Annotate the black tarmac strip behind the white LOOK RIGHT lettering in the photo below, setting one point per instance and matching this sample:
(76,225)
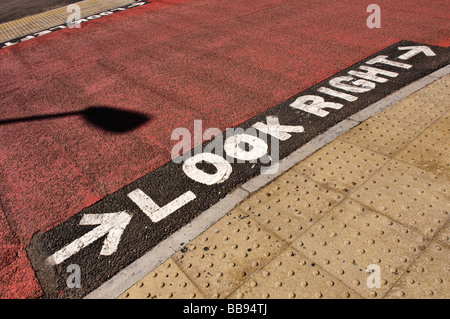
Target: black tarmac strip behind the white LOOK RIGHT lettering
(170,181)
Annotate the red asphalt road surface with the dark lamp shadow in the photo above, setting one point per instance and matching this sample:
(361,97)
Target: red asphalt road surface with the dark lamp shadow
(176,60)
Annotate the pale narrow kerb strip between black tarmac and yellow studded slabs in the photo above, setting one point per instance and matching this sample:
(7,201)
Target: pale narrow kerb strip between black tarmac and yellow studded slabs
(134,272)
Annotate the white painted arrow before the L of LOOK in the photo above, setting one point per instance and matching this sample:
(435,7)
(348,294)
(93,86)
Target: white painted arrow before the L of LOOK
(112,224)
